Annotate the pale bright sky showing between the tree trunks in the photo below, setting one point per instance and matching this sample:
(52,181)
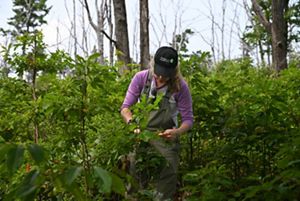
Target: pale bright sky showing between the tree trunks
(166,18)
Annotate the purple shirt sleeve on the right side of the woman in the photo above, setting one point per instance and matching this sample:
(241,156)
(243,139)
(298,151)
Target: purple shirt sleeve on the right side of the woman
(184,104)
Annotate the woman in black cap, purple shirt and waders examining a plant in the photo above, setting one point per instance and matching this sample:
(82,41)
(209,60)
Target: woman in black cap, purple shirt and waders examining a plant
(164,78)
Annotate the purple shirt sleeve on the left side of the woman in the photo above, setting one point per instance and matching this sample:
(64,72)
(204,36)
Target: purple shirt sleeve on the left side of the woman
(134,90)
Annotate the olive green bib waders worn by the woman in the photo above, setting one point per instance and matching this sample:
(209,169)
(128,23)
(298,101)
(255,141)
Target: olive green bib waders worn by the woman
(159,120)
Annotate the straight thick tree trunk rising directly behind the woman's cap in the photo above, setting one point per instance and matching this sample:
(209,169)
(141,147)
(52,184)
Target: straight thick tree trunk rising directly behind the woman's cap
(144,34)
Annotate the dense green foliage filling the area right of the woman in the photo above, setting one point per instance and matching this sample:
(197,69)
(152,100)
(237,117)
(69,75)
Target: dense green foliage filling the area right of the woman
(244,119)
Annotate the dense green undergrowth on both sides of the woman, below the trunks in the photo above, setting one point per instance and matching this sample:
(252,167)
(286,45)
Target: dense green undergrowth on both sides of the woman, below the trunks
(245,143)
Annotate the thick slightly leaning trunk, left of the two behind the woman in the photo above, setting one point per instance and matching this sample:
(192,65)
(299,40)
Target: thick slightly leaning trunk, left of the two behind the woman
(121,32)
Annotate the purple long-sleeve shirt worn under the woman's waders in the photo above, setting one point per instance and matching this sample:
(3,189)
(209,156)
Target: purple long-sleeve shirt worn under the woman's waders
(183,97)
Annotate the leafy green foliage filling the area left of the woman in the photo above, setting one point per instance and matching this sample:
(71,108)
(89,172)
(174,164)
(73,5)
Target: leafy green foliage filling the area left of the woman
(67,110)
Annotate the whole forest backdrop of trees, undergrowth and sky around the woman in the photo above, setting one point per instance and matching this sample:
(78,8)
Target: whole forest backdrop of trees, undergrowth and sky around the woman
(62,137)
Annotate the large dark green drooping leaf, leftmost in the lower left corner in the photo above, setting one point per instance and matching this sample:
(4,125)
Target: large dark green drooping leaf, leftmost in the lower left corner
(14,158)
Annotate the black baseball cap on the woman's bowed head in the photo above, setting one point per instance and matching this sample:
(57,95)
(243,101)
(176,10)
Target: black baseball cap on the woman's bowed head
(165,61)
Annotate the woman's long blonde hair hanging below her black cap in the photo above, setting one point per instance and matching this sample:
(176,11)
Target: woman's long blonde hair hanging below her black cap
(174,83)
